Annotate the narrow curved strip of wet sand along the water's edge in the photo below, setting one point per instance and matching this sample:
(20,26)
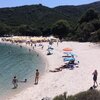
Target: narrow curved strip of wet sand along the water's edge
(9,96)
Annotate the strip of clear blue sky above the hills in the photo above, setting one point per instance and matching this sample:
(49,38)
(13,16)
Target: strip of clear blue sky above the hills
(48,3)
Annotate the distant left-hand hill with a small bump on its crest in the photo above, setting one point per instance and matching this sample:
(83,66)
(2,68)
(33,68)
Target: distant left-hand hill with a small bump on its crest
(36,15)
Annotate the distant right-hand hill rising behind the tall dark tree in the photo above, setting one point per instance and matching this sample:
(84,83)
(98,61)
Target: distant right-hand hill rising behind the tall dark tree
(75,12)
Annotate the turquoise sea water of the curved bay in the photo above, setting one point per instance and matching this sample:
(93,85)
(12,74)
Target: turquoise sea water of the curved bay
(20,62)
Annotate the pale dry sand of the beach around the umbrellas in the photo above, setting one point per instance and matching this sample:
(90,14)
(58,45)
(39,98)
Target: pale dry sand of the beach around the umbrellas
(70,81)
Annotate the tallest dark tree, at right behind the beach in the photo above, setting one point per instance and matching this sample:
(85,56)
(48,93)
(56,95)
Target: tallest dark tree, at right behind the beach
(88,24)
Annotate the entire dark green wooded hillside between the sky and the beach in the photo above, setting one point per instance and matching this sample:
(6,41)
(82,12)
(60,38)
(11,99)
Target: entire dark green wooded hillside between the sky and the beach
(81,23)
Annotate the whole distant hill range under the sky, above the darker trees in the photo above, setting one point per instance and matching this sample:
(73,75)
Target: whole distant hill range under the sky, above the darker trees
(40,15)
